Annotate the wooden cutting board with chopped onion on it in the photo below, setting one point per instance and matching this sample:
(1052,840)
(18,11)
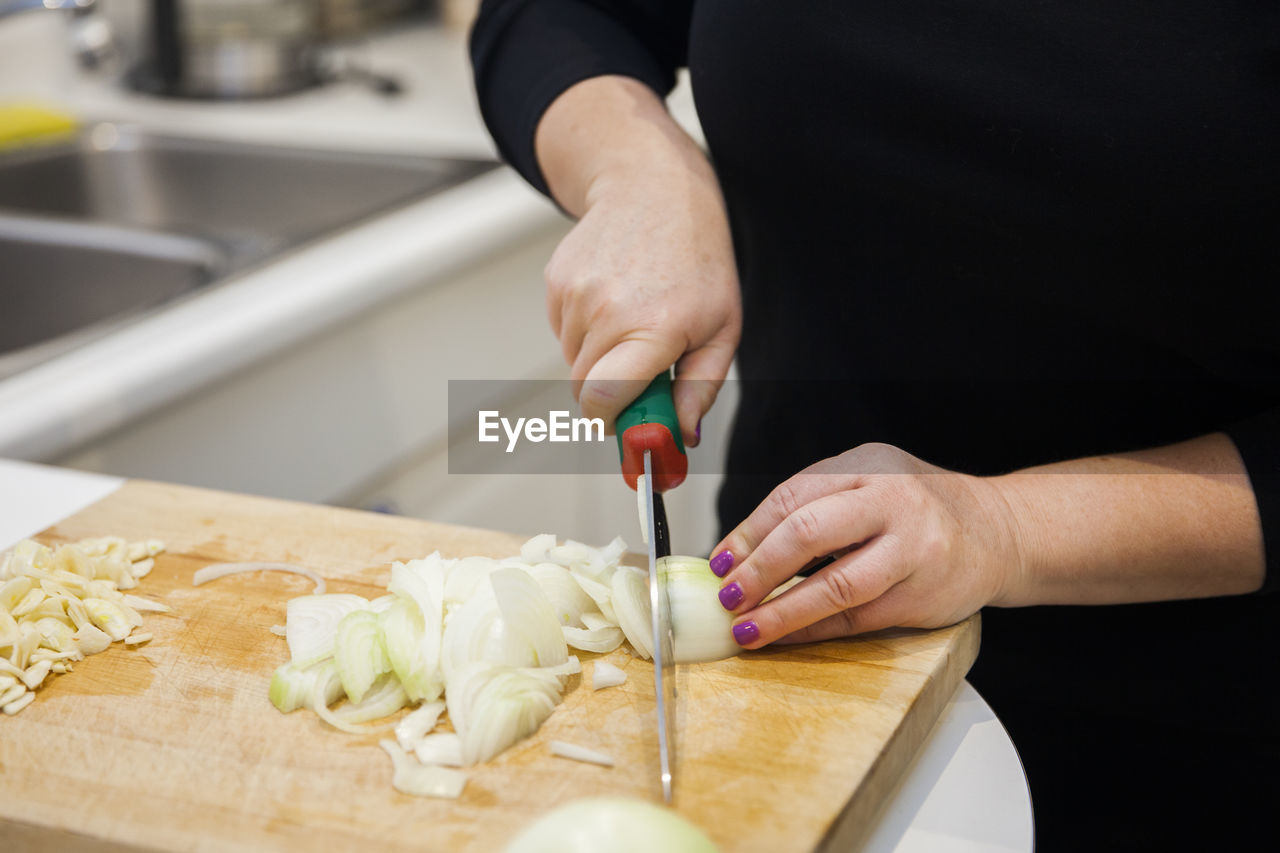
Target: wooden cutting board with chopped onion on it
(175,745)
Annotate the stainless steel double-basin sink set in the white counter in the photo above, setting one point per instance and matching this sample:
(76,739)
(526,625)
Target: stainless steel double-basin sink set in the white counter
(118,222)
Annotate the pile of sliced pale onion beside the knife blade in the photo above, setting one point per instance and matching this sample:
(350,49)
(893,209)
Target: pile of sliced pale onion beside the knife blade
(490,636)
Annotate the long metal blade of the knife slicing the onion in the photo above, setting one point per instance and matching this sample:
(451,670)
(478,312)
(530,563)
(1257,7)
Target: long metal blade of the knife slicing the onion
(664,641)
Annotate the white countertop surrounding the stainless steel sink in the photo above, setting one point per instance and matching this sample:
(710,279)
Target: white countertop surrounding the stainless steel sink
(67,403)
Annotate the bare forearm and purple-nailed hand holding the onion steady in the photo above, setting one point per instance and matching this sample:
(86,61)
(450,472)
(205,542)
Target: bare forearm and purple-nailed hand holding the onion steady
(925,548)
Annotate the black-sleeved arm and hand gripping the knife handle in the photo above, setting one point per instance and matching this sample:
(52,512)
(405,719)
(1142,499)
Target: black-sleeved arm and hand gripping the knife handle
(570,90)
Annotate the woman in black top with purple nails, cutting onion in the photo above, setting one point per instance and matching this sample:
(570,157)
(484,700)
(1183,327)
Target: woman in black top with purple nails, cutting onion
(1031,244)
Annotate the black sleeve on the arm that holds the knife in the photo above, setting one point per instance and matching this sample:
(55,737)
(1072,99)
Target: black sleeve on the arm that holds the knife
(525,53)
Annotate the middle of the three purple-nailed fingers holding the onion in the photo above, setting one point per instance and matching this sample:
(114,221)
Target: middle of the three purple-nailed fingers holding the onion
(819,528)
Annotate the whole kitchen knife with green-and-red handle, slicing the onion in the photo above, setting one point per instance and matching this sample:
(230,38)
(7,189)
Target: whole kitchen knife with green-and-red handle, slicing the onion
(653,462)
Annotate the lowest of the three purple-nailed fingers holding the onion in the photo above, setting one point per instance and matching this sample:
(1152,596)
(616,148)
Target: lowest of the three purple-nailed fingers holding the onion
(848,585)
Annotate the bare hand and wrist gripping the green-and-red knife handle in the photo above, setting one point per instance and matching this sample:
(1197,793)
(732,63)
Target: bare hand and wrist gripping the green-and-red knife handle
(647,277)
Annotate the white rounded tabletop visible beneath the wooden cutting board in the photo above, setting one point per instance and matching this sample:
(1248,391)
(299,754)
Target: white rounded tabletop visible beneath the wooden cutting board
(964,792)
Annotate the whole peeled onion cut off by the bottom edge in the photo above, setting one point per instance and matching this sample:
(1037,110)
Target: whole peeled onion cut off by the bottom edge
(616,824)
